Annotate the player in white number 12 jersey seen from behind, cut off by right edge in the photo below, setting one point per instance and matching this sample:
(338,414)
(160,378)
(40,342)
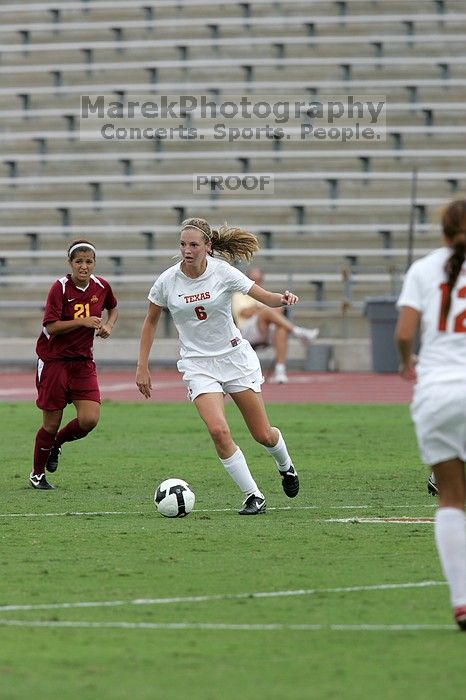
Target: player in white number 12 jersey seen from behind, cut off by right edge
(434,296)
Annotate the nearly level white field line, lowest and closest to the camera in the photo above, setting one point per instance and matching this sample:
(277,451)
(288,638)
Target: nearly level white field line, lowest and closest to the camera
(224,626)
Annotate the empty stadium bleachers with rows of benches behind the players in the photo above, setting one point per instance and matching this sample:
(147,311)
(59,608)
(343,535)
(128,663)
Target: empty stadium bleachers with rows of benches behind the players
(339,218)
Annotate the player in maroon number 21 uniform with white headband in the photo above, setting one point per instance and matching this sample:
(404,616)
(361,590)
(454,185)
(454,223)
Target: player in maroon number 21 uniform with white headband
(66,370)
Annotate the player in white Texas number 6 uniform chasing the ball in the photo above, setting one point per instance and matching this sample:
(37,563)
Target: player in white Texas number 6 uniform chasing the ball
(215,359)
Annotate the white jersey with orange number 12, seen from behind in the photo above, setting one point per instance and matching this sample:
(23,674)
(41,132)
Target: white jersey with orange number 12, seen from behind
(443,340)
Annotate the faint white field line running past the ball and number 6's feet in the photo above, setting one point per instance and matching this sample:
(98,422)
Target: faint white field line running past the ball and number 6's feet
(209,510)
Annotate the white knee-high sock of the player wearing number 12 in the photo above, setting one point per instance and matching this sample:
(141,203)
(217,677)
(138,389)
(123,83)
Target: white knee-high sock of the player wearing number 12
(450,538)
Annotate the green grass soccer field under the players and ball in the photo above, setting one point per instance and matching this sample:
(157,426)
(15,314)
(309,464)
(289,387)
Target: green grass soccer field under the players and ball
(97,539)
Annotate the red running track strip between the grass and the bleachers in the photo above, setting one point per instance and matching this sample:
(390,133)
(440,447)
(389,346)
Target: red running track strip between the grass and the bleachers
(303,387)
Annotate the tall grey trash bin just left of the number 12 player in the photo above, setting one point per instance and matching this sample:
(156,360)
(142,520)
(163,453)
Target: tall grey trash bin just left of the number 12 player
(382,314)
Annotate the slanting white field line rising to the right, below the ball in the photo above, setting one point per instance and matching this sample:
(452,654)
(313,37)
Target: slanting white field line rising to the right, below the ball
(222,596)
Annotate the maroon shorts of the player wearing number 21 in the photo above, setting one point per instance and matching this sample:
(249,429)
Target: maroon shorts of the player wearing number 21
(60,382)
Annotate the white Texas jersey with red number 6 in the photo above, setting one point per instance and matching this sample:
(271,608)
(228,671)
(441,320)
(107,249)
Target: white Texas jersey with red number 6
(201,307)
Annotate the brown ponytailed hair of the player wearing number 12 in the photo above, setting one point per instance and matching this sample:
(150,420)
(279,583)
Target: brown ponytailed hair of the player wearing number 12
(454,230)
